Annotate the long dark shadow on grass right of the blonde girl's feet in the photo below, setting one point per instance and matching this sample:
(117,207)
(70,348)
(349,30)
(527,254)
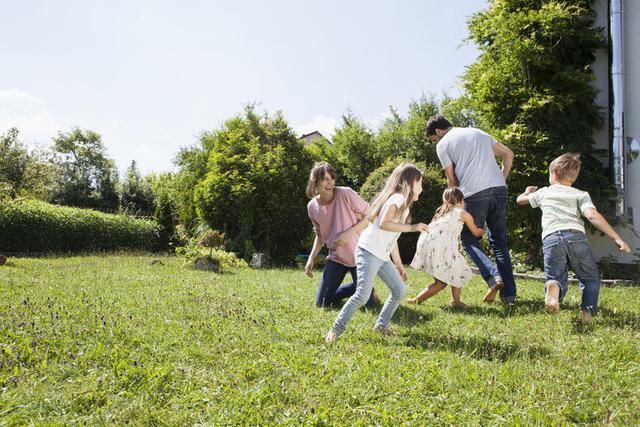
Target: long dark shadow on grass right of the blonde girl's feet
(478,348)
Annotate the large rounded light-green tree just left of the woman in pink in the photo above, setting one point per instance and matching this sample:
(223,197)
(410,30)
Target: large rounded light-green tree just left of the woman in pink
(253,190)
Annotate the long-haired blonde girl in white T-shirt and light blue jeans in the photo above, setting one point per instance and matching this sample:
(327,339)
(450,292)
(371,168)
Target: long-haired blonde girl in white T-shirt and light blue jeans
(388,214)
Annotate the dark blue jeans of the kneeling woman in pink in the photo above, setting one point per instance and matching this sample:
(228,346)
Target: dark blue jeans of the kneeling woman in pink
(331,291)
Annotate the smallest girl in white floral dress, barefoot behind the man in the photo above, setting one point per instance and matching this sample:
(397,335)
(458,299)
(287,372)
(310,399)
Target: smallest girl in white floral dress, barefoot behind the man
(438,250)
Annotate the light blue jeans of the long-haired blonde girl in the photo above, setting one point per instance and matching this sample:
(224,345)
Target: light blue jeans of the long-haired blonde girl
(368,266)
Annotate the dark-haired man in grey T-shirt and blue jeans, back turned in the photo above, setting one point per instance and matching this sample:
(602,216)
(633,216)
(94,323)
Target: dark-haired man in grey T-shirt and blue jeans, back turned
(468,157)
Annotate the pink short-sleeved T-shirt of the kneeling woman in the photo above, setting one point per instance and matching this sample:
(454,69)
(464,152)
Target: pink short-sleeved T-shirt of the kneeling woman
(332,219)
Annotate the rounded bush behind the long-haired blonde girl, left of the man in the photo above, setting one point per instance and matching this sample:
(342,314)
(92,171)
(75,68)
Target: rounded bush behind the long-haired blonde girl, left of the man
(433,184)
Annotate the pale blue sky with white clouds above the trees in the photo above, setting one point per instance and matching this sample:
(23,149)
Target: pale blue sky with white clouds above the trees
(151,76)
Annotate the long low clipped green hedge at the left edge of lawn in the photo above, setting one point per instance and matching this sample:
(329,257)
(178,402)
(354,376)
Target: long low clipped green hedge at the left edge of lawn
(35,226)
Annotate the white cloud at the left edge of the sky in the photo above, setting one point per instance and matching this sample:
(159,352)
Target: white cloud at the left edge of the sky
(29,114)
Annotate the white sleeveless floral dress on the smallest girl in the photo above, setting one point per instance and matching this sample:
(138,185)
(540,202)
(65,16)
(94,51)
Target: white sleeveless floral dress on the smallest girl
(438,251)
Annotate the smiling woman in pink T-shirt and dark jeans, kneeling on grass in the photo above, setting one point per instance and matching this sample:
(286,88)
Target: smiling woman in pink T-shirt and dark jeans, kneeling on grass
(332,210)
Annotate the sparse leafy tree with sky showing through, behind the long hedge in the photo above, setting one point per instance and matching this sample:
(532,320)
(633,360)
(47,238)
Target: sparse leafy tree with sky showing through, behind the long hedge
(89,178)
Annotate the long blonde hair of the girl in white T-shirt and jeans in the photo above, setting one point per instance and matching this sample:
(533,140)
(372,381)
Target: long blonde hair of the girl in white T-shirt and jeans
(401,181)
